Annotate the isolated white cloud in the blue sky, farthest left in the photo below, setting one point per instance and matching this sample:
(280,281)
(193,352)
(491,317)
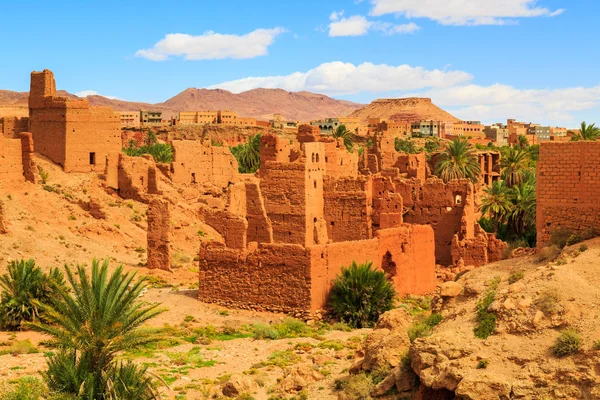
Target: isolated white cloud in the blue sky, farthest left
(211,45)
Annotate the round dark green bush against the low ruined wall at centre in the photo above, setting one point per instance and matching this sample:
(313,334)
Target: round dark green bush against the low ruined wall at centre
(361,294)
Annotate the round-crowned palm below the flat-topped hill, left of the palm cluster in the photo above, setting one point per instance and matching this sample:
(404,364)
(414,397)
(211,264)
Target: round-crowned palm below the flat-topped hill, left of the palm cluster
(458,161)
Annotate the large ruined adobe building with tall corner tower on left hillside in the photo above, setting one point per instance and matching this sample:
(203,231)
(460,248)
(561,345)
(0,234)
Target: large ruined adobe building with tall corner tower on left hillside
(68,131)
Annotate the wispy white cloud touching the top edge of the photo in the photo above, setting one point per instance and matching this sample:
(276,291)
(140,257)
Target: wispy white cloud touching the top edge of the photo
(464,12)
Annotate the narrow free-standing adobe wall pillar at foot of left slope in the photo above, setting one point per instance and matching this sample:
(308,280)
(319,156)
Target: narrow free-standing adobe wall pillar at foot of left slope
(159,234)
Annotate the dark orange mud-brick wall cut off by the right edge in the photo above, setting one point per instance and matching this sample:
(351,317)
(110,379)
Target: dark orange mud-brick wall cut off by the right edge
(568,188)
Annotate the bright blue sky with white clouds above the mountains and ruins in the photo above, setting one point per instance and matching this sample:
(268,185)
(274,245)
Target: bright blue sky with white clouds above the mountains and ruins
(488,60)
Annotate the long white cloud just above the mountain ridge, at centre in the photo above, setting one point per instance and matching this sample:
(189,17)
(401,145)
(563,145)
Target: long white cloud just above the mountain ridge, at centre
(339,78)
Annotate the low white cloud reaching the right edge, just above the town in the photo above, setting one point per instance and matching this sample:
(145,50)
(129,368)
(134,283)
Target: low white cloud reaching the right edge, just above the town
(499,102)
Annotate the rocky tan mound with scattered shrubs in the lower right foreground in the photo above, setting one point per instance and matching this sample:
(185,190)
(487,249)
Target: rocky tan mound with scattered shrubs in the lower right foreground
(533,301)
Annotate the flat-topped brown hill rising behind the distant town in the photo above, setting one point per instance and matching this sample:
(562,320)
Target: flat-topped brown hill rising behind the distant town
(406,110)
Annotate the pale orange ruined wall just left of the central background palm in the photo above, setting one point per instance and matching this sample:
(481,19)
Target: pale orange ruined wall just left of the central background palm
(200,162)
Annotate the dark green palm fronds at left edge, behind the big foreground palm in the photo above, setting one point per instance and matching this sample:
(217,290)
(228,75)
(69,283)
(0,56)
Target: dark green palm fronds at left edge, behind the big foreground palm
(22,286)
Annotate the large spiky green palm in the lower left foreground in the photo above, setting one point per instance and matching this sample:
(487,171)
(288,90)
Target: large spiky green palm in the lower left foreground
(101,318)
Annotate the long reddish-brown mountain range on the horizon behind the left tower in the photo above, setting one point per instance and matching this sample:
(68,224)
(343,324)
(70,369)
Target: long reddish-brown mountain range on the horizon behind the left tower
(257,103)
